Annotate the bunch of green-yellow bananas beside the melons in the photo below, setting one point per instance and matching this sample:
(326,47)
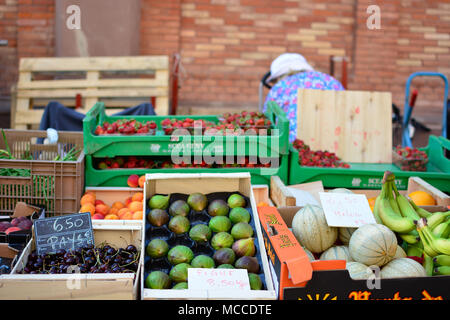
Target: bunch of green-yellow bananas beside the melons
(425,234)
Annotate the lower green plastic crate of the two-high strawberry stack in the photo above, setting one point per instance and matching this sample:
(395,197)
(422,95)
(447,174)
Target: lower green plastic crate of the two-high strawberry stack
(118,177)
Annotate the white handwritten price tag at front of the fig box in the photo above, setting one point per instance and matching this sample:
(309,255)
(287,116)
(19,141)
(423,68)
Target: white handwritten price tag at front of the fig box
(218,279)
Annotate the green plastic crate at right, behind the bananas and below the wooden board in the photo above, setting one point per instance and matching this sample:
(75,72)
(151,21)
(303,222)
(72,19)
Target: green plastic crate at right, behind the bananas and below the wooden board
(369,176)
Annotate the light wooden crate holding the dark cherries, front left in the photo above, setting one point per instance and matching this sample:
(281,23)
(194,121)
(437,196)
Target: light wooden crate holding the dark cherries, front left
(98,286)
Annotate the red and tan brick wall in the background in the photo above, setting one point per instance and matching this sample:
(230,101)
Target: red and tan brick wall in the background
(228,45)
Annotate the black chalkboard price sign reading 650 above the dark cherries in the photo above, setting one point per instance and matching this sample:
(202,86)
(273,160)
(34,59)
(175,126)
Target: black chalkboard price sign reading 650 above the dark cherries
(68,232)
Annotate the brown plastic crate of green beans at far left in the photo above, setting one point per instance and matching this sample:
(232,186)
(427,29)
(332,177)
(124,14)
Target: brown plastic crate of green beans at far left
(49,175)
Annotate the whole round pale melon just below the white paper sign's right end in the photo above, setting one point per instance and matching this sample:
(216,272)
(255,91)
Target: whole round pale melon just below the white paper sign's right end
(373,244)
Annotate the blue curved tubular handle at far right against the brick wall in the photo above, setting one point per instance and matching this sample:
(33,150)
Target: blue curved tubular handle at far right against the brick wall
(406,140)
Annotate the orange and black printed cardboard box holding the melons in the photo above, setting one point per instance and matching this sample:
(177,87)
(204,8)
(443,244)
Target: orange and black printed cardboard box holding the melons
(331,281)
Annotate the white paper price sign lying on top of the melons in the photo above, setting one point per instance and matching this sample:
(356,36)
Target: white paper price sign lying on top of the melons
(346,210)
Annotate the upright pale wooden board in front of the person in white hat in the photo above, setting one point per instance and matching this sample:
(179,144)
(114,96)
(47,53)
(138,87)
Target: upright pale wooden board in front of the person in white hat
(356,125)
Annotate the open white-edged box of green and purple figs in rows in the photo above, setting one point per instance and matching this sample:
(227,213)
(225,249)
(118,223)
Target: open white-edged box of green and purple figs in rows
(202,229)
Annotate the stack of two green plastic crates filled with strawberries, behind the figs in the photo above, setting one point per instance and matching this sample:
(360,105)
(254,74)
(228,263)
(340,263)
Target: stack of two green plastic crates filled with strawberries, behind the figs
(245,141)
